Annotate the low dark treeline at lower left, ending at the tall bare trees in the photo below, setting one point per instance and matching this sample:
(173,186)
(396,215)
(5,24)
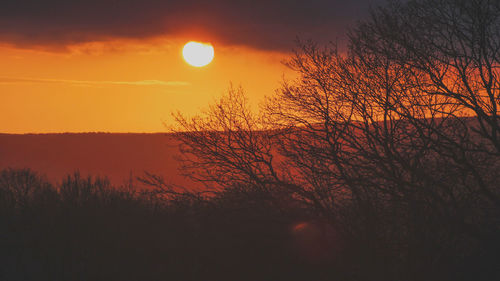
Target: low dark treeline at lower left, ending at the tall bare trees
(85,229)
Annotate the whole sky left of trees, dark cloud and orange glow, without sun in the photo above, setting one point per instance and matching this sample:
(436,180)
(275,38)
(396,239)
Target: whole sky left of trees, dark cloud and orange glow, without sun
(116,65)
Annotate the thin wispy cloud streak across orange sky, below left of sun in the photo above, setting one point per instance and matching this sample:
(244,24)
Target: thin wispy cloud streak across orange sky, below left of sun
(19,80)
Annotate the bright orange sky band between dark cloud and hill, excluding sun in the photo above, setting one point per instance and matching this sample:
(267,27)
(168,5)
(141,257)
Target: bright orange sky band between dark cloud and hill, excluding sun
(123,86)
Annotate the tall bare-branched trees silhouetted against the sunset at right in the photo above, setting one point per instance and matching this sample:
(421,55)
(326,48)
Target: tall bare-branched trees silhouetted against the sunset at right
(395,143)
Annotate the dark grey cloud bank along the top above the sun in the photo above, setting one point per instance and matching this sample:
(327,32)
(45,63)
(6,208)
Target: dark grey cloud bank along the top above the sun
(260,24)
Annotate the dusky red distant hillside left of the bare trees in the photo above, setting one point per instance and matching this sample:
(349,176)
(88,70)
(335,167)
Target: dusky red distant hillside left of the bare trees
(115,155)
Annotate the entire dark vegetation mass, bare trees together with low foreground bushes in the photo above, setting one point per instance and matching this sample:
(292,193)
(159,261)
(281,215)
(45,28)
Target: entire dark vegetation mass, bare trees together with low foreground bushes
(381,163)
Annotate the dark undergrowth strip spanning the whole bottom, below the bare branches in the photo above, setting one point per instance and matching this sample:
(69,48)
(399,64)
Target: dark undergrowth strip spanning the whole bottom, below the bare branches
(84,229)
